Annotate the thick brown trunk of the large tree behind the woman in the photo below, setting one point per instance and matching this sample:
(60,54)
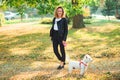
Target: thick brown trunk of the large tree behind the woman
(78,21)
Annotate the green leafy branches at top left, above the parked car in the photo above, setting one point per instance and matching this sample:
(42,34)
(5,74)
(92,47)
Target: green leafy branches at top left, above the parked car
(19,5)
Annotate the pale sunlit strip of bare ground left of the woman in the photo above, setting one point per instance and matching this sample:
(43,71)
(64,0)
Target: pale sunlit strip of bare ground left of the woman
(18,29)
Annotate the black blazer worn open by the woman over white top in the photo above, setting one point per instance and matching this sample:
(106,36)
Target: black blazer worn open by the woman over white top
(62,28)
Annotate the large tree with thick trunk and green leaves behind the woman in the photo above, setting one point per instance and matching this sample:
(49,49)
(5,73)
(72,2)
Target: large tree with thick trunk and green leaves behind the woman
(74,9)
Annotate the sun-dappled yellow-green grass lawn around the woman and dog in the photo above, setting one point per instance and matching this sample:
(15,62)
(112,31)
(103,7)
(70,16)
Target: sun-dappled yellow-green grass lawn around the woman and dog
(26,52)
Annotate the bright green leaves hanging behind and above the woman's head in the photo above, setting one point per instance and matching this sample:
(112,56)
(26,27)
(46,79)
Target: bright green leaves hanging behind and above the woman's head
(48,6)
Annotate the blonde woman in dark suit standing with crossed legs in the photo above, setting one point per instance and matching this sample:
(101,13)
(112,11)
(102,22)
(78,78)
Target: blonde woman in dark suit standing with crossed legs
(58,34)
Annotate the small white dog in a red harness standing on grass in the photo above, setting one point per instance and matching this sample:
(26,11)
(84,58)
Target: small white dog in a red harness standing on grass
(82,65)
